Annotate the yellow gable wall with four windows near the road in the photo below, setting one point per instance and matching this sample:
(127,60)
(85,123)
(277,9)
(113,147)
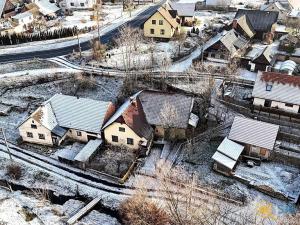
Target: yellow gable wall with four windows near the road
(169,30)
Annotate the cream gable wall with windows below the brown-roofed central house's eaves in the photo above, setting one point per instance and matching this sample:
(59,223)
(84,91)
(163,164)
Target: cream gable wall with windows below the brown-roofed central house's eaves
(113,129)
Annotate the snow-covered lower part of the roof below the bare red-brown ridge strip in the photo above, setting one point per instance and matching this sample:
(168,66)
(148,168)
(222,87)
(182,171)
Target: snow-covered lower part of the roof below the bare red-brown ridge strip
(281,92)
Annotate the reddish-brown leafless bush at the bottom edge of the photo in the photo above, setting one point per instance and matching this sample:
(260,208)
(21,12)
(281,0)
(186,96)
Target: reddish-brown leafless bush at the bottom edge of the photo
(137,210)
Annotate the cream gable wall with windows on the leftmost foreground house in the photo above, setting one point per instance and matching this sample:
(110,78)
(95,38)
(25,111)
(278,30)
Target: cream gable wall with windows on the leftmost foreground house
(26,127)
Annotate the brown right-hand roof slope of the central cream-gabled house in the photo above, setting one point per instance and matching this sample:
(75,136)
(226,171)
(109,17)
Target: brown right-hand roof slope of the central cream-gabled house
(134,117)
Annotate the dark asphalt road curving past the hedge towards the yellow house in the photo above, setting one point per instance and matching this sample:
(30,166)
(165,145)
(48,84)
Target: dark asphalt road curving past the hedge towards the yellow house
(109,36)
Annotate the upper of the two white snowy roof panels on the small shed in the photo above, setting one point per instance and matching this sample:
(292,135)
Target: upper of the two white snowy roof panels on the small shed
(231,149)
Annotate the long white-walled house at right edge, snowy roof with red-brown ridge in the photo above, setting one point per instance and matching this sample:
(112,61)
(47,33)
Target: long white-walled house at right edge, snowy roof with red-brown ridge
(276,90)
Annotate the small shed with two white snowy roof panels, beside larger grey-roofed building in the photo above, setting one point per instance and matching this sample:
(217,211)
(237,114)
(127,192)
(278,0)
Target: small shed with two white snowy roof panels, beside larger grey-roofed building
(227,156)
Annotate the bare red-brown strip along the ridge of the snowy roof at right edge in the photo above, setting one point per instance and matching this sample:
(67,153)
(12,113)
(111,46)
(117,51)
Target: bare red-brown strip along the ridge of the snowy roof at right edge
(280,78)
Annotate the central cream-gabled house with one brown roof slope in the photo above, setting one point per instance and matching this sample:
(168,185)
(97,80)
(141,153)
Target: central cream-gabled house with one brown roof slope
(128,126)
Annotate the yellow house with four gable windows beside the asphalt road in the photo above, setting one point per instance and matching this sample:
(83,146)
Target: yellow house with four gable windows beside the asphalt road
(161,25)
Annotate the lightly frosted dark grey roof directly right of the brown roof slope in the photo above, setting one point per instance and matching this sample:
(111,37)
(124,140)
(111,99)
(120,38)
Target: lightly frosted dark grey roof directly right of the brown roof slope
(154,102)
